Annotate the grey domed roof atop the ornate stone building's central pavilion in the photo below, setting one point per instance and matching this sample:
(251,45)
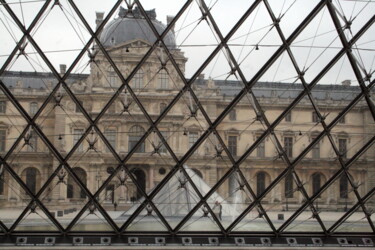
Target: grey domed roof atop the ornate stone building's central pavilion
(131,25)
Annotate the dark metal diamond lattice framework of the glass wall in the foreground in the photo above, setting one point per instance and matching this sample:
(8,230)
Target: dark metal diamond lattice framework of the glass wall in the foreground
(364,79)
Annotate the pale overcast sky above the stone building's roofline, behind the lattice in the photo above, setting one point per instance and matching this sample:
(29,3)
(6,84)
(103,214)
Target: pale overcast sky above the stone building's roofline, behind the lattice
(197,40)
